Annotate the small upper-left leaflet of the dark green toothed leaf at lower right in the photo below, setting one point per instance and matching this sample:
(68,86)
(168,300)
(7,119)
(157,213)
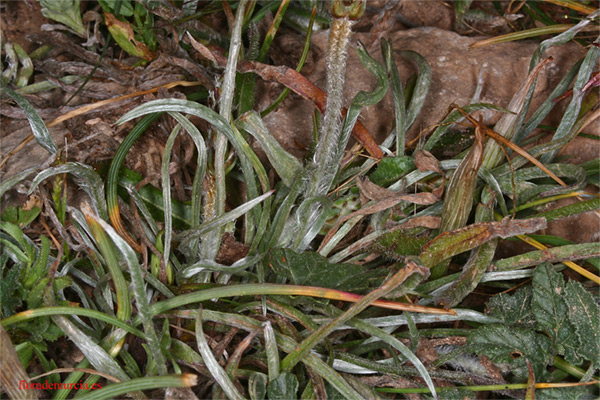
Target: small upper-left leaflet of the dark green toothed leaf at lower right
(513,309)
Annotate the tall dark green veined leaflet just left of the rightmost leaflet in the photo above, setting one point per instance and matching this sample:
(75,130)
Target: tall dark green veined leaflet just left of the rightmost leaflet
(551,312)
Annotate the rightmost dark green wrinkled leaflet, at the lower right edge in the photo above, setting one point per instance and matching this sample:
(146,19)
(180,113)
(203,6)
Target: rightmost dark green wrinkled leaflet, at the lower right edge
(584,314)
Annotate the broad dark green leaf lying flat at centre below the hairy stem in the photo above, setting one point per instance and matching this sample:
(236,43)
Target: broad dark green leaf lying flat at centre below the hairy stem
(312,269)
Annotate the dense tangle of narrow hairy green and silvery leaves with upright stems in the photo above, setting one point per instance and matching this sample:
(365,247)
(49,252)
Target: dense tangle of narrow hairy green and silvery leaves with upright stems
(254,327)
